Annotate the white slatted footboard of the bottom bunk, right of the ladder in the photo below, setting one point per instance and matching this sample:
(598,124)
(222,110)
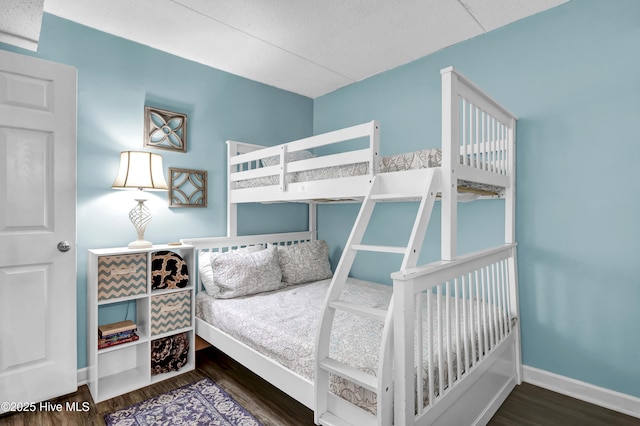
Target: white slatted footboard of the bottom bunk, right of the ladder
(470,345)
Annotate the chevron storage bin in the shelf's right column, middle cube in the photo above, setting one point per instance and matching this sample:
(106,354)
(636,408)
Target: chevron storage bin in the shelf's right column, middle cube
(171,311)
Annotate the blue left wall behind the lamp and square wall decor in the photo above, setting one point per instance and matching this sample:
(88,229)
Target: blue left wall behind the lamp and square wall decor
(116,79)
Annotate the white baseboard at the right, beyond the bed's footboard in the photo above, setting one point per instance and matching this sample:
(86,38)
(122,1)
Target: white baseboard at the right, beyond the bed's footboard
(603,397)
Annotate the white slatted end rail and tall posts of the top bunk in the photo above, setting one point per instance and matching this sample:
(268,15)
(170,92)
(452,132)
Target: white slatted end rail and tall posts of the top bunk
(478,146)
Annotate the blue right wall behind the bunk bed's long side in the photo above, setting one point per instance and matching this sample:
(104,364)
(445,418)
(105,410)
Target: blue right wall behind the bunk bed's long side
(572,76)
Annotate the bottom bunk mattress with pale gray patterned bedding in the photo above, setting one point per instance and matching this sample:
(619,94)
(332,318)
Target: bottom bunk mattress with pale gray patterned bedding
(282,325)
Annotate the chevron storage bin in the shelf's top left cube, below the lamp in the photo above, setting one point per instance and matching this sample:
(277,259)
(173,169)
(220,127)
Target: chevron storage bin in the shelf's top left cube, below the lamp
(122,276)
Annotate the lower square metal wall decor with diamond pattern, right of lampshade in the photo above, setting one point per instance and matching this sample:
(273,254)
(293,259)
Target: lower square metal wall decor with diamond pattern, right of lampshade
(187,188)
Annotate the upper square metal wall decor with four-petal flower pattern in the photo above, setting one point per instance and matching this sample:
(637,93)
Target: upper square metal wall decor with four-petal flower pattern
(165,129)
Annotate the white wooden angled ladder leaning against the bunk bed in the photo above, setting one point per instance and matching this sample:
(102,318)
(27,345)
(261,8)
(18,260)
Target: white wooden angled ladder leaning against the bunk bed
(331,410)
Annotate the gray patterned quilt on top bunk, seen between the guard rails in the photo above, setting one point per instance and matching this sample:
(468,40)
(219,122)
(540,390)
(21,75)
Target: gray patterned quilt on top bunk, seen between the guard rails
(426,158)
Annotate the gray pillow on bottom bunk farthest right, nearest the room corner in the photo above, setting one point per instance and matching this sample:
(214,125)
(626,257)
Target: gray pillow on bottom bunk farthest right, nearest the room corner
(304,262)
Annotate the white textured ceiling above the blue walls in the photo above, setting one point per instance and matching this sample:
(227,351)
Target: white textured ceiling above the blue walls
(310,47)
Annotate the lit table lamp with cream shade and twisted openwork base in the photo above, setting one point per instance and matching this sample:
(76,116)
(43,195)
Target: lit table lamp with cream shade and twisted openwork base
(142,171)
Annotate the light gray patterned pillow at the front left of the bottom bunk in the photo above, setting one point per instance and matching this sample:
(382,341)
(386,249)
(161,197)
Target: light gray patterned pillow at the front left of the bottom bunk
(242,273)
